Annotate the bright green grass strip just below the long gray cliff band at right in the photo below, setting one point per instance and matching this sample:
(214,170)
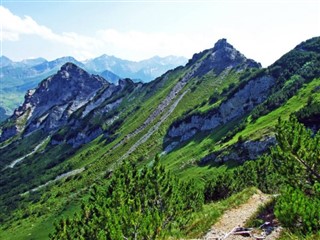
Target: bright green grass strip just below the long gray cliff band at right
(184,160)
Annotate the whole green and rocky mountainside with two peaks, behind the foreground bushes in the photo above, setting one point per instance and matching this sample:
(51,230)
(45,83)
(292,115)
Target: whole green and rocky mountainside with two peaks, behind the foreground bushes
(205,119)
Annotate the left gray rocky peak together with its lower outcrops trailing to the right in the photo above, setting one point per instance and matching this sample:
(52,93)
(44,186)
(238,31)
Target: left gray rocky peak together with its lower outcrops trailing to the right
(51,105)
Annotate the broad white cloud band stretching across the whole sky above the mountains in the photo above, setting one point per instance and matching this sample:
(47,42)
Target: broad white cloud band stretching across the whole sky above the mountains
(260,42)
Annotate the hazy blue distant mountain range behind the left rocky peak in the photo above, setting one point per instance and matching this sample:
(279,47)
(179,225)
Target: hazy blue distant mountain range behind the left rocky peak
(17,77)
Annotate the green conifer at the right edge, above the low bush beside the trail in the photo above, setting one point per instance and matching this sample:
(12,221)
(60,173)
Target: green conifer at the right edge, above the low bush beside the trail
(297,153)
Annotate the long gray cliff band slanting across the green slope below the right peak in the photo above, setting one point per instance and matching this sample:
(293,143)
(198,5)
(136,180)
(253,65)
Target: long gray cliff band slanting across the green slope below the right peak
(252,94)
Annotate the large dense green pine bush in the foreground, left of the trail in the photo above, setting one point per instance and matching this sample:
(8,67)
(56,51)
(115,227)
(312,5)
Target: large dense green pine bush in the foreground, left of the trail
(137,204)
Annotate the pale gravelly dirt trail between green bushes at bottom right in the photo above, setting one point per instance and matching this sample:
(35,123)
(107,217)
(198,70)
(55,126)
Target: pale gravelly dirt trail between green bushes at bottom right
(237,217)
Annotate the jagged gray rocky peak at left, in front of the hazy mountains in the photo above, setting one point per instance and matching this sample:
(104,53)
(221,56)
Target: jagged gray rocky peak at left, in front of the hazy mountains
(49,106)
